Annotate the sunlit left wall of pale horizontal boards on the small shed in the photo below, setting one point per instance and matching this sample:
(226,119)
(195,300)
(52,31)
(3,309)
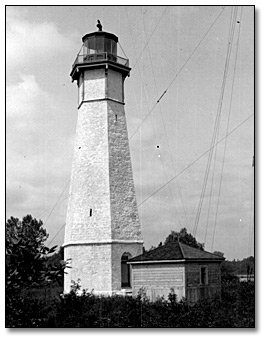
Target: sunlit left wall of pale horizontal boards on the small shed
(156,280)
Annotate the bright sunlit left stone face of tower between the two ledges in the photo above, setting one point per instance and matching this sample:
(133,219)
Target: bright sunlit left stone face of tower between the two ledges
(90,178)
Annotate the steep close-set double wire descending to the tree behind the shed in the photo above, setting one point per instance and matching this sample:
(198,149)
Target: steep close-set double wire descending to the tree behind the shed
(217,123)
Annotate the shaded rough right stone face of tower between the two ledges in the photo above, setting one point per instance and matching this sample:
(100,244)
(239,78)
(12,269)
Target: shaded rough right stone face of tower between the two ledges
(124,211)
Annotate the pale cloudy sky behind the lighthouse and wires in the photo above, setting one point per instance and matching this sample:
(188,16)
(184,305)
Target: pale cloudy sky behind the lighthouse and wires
(176,49)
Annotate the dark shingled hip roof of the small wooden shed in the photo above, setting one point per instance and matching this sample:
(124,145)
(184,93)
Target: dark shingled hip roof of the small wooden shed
(175,251)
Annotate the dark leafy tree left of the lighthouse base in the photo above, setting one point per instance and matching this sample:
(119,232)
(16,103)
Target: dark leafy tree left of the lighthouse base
(27,254)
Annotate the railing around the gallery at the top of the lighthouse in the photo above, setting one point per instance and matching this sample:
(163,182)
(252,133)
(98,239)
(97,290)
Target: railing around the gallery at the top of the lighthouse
(100,56)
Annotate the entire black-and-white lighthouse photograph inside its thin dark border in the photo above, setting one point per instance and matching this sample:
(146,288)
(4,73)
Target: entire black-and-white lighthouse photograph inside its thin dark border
(130,166)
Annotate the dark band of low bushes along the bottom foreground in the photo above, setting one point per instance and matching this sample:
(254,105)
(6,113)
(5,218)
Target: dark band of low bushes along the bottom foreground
(236,308)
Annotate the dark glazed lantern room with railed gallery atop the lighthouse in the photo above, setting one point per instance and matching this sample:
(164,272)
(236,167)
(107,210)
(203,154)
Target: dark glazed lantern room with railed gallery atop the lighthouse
(99,49)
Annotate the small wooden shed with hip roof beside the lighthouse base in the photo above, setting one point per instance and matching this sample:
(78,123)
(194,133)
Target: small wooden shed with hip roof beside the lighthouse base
(191,272)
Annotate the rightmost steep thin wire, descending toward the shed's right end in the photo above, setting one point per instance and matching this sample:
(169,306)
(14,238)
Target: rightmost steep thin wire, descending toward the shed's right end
(227,129)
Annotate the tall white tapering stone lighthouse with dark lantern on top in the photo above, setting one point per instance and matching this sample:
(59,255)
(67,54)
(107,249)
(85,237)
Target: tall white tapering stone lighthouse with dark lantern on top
(102,226)
